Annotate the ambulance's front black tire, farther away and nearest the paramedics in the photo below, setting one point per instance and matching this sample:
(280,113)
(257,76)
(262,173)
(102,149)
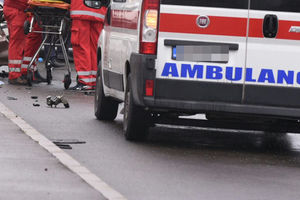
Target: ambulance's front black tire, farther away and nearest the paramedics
(106,108)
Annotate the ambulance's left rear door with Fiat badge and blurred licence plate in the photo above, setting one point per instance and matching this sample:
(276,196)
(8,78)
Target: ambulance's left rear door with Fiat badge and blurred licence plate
(201,50)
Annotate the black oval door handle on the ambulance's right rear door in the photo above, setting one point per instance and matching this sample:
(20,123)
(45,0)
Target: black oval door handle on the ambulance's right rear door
(270,26)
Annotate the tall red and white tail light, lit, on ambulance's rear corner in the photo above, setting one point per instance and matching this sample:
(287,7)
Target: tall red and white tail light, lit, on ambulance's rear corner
(149,27)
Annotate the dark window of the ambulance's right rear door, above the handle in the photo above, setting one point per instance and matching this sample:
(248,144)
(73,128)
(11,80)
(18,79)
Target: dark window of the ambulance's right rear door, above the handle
(276,5)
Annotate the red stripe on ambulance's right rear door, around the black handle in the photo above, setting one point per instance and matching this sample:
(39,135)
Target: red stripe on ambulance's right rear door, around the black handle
(256,29)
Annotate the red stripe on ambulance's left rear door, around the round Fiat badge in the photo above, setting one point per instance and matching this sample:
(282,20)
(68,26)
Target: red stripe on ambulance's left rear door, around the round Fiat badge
(227,26)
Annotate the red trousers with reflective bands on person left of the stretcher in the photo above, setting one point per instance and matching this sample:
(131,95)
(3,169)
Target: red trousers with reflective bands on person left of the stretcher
(19,44)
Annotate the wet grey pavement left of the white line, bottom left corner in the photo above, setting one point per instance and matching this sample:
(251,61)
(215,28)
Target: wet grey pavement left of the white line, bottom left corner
(30,172)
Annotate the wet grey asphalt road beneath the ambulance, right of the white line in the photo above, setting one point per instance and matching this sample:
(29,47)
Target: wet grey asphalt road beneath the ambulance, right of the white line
(176,163)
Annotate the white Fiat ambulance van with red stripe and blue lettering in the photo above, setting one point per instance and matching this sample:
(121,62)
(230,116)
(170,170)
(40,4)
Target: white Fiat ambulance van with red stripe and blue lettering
(233,60)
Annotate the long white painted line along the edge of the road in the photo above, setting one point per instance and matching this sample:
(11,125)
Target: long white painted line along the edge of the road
(90,178)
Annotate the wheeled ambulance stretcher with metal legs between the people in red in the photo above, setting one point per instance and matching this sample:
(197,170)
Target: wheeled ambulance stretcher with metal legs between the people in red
(53,17)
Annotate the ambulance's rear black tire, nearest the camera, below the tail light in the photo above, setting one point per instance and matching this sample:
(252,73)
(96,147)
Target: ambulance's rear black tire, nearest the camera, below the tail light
(136,119)
